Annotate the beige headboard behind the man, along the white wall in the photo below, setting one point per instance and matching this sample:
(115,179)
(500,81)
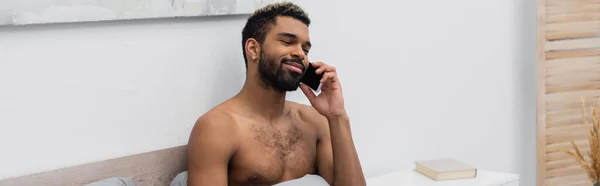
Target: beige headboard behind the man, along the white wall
(151,168)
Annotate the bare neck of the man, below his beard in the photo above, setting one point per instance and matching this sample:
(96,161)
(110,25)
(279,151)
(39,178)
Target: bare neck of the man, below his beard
(261,101)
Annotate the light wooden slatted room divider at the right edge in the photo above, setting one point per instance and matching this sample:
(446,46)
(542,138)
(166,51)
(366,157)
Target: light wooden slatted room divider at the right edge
(568,68)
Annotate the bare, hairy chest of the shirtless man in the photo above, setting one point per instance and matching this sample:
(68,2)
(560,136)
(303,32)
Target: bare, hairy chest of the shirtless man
(271,154)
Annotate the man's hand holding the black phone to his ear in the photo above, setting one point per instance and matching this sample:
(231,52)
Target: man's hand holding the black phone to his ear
(330,102)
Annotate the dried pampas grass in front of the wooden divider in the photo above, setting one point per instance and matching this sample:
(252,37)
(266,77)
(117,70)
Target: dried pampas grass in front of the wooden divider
(592,166)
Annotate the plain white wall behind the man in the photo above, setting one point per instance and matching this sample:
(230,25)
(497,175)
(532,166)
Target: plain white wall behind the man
(416,75)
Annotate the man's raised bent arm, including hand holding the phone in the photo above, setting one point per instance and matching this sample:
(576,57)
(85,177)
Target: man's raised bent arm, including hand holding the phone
(330,104)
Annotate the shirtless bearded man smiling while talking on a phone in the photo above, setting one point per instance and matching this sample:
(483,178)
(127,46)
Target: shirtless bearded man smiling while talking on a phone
(259,138)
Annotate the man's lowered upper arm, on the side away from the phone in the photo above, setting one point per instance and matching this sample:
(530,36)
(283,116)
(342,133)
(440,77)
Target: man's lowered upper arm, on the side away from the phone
(210,147)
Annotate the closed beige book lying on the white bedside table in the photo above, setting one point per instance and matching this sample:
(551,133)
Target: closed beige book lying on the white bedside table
(445,169)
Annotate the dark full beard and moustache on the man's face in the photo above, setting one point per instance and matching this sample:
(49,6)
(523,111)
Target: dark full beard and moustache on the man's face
(277,78)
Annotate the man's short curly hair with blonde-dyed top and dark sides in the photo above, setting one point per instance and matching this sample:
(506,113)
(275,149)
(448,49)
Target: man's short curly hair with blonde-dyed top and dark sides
(261,21)
